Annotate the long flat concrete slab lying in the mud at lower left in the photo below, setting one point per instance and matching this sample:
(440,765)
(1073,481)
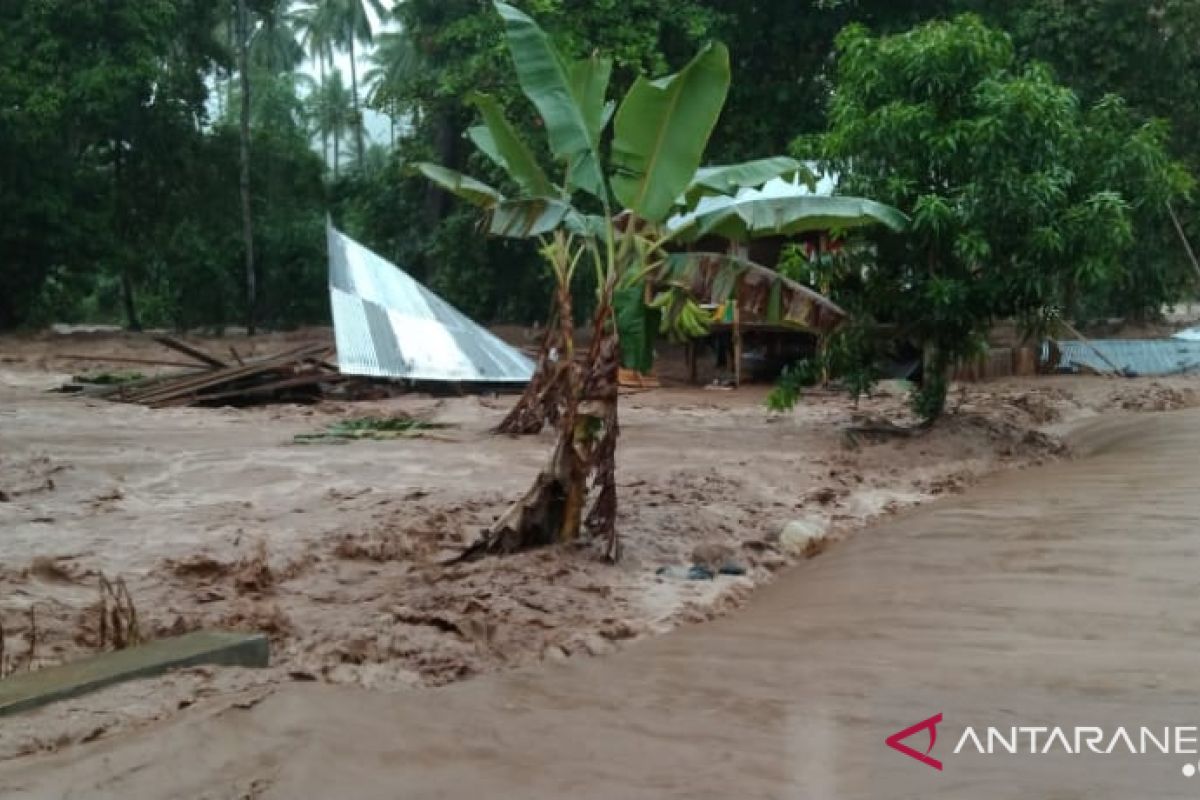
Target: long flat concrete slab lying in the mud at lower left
(26,691)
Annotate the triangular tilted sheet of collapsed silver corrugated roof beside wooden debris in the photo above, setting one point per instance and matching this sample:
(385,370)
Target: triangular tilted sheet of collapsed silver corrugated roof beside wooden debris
(388,326)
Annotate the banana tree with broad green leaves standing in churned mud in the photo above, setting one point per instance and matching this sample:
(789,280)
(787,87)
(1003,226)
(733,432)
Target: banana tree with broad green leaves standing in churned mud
(603,214)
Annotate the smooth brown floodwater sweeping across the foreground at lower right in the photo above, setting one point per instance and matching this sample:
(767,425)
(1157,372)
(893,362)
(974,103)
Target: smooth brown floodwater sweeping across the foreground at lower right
(1063,596)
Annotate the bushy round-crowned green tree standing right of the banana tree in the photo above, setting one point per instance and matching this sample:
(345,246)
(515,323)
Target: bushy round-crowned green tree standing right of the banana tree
(1024,202)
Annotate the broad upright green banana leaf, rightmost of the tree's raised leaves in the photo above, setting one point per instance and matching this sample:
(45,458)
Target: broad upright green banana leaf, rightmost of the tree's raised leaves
(662,130)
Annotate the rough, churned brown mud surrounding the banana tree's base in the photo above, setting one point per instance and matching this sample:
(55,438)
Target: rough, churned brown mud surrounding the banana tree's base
(219,519)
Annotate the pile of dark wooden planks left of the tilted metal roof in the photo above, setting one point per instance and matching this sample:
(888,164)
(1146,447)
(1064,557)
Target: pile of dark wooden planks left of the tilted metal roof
(298,376)
